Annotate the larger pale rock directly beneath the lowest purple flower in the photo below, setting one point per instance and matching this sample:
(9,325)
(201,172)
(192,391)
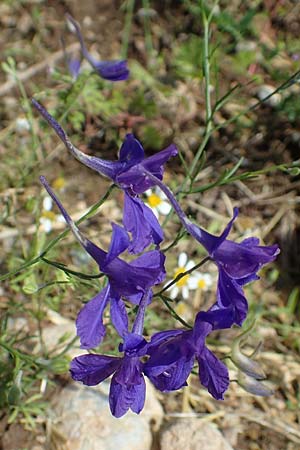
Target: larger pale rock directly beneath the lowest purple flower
(82,421)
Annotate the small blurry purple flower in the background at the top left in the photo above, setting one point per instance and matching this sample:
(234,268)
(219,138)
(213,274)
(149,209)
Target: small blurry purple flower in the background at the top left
(109,70)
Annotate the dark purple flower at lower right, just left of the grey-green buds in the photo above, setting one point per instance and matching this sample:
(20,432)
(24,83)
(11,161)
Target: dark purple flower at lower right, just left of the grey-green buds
(172,356)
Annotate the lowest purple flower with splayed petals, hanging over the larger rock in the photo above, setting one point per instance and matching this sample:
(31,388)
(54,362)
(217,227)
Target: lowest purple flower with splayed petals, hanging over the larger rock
(127,389)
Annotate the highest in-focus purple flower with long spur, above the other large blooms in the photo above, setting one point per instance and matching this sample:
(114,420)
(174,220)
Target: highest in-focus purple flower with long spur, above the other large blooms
(127,173)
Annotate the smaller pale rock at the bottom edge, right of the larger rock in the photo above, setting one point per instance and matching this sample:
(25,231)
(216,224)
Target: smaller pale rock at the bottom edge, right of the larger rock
(193,434)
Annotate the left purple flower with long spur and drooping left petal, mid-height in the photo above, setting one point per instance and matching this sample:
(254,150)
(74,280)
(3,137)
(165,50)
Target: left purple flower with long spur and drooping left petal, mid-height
(130,280)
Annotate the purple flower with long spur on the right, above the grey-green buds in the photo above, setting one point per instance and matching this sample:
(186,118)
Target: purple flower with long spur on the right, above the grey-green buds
(238,264)
